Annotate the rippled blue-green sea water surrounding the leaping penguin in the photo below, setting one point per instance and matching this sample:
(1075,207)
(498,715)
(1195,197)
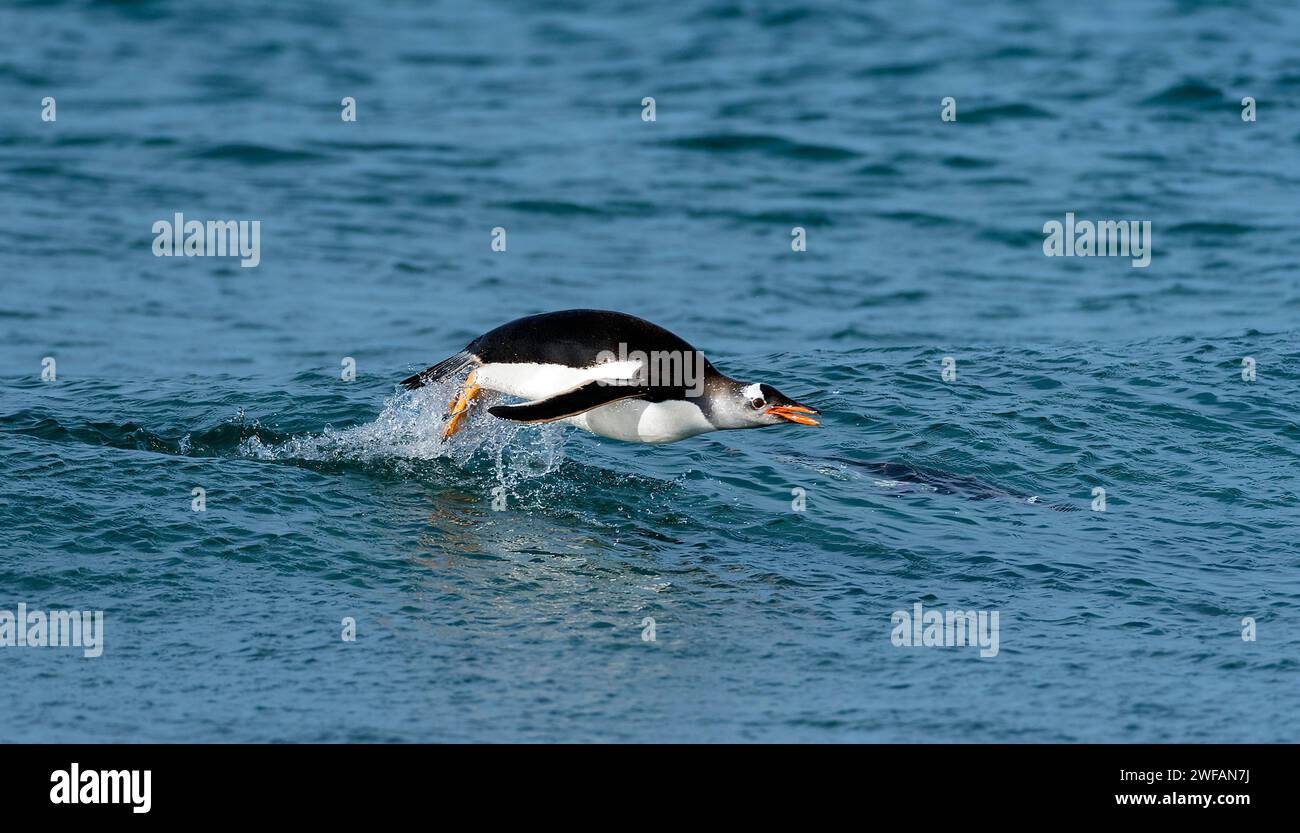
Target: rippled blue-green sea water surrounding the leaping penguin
(327,500)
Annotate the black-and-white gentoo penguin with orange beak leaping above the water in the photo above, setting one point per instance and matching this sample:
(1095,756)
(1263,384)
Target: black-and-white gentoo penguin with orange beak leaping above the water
(610,374)
